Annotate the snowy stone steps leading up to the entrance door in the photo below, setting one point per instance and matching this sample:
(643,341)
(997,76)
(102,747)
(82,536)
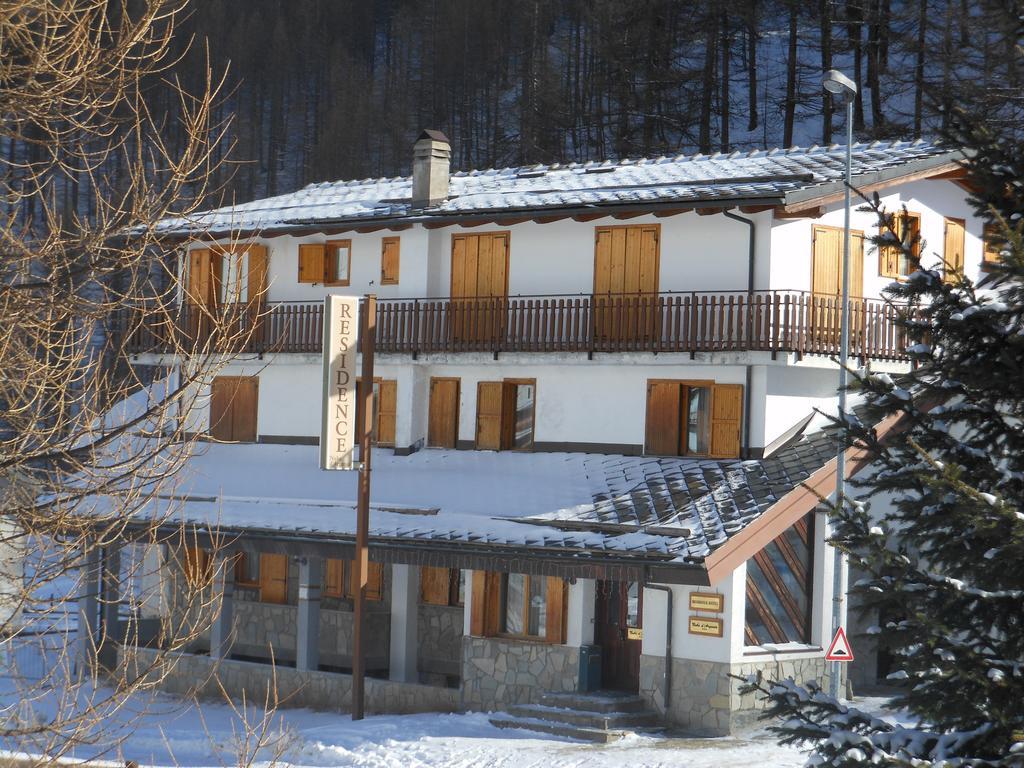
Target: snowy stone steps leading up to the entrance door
(590,717)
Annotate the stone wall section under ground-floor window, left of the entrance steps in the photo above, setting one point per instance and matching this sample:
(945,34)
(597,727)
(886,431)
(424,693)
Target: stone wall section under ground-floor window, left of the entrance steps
(499,672)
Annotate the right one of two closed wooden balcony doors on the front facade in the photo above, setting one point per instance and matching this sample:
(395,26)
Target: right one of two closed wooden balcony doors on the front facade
(626,279)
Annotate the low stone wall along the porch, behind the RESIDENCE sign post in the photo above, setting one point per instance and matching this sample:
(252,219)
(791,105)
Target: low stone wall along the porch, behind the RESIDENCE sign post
(189,674)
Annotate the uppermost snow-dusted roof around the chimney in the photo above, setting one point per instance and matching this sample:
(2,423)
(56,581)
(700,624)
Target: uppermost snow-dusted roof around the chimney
(773,178)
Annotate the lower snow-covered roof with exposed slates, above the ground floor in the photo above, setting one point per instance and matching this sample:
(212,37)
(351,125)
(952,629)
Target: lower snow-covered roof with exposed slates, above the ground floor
(673,511)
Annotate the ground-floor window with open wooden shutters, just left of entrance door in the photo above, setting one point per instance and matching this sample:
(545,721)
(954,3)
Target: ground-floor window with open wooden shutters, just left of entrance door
(519,606)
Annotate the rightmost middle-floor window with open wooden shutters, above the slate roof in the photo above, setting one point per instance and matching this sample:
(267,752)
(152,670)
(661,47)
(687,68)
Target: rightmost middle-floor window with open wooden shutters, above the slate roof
(694,418)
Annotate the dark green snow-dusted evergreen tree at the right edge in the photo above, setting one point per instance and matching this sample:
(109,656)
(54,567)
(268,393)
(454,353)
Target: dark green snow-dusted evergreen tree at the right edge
(945,563)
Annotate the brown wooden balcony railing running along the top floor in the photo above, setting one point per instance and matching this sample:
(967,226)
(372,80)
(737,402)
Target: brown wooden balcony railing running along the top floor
(701,322)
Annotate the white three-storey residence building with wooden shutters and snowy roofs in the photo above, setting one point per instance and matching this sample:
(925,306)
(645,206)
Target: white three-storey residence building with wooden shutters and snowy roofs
(655,335)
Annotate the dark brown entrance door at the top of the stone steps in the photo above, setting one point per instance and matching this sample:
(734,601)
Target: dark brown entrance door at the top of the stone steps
(618,630)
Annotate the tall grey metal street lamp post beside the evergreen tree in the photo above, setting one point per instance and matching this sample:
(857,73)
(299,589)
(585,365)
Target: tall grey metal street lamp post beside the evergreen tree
(840,86)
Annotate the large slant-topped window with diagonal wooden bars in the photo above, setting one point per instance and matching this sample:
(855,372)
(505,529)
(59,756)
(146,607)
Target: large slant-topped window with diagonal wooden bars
(779,588)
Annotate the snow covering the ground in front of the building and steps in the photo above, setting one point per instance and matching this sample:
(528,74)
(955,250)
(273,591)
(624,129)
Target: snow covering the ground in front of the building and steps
(161,731)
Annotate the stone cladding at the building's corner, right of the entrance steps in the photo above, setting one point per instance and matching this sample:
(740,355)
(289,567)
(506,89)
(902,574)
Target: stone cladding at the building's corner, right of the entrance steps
(705,701)
